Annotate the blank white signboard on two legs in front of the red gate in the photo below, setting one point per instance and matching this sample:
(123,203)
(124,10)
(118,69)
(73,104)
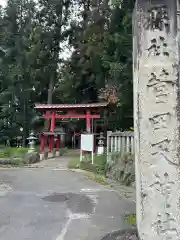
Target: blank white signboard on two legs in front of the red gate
(87,144)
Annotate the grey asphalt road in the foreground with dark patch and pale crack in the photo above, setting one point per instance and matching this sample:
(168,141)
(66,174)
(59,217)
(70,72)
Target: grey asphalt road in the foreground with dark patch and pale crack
(46,204)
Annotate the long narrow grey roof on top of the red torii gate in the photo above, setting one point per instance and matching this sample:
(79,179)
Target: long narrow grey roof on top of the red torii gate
(70,106)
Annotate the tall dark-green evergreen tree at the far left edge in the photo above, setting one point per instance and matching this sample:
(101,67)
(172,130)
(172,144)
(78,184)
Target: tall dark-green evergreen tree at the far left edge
(15,73)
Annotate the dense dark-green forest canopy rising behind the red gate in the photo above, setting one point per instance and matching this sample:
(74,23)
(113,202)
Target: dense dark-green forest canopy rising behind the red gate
(34,66)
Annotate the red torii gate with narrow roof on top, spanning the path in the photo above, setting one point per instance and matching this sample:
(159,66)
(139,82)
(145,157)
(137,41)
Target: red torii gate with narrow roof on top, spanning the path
(70,109)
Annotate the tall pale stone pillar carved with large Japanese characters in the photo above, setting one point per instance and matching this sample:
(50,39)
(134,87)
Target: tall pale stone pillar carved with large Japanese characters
(157,119)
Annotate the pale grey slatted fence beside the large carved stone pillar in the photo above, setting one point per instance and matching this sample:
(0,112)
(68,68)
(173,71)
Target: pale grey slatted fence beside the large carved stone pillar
(122,142)
